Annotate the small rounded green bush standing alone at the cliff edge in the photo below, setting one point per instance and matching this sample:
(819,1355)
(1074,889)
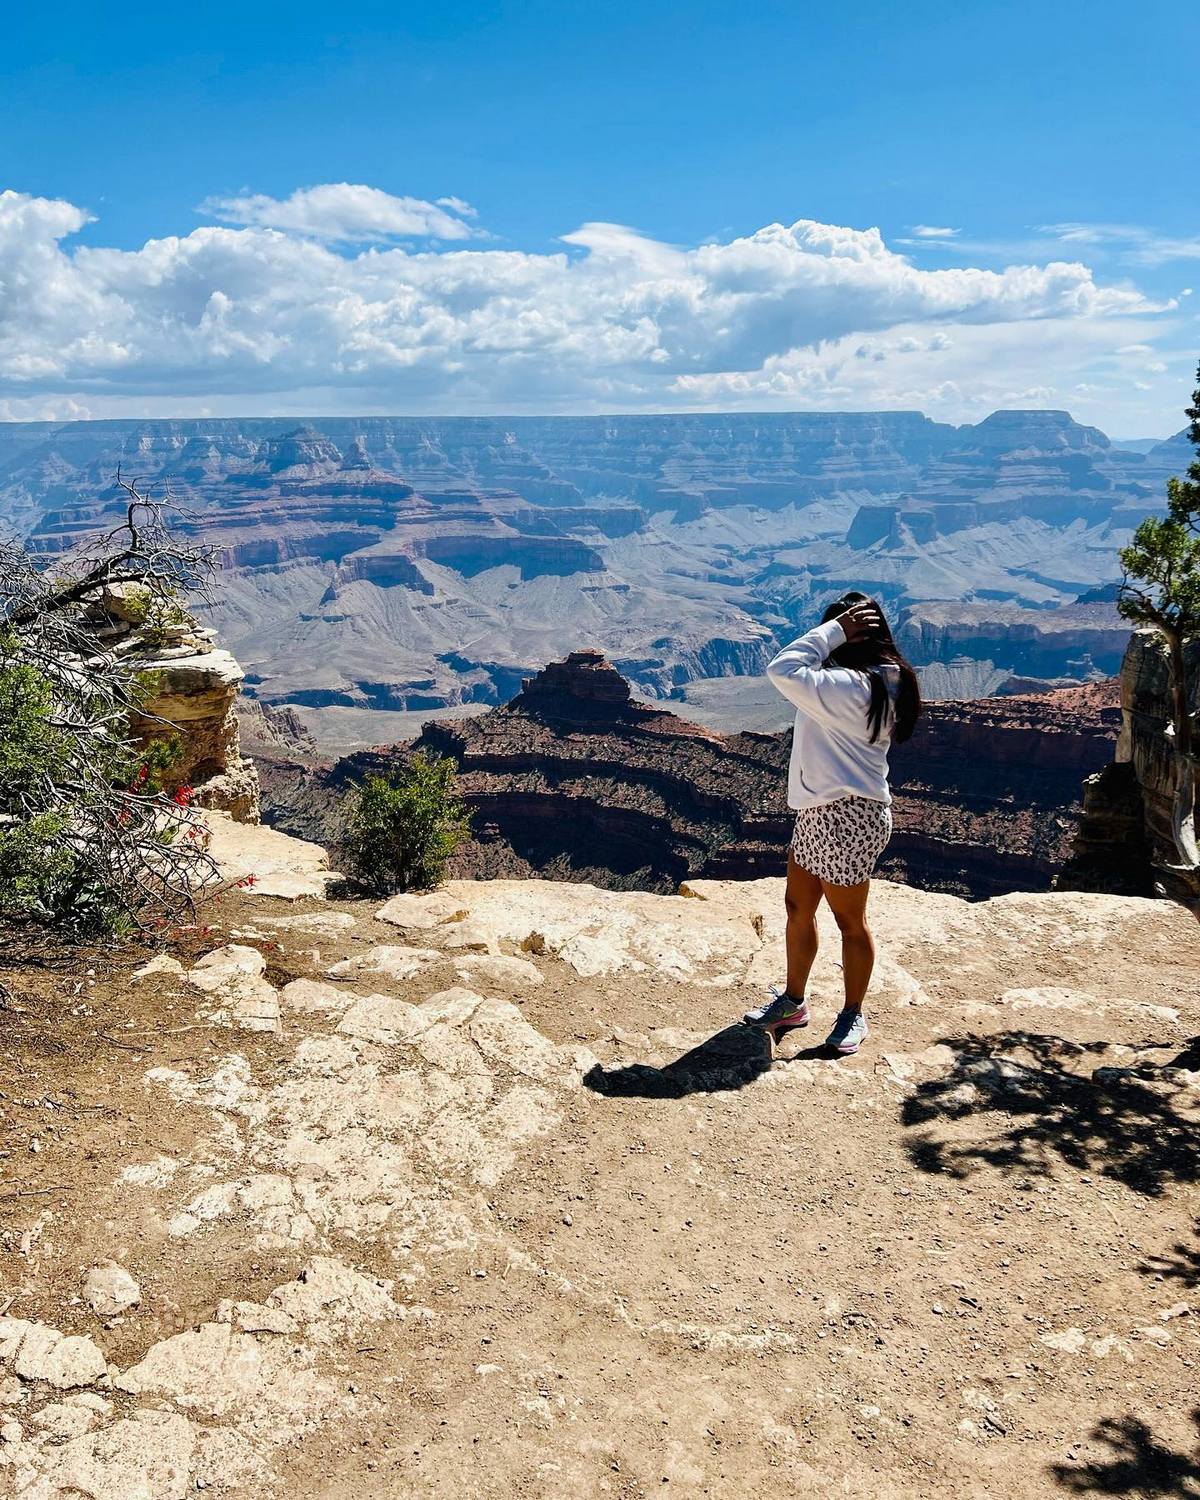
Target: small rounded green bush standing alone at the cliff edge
(404,827)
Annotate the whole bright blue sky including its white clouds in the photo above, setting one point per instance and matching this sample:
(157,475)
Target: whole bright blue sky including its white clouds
(179,137)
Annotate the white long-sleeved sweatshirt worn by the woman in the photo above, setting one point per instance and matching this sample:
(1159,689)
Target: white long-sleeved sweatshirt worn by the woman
(832,751)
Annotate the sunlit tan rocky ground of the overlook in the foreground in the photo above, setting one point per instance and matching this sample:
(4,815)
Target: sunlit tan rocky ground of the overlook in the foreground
(481,1193)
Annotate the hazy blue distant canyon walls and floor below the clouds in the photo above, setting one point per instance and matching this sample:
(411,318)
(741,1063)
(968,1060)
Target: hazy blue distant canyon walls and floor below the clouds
(383,566)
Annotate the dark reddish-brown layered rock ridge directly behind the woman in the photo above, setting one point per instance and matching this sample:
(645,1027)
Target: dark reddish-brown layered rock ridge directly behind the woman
(578,779)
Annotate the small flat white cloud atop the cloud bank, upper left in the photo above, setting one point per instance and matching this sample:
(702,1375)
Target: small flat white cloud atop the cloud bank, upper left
(347,212)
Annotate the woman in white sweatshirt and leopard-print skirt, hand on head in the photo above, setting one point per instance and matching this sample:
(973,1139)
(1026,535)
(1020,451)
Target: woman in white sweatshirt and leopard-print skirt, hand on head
(856,695)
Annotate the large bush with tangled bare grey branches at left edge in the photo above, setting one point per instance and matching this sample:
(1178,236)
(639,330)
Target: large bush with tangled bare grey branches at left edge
(91,841)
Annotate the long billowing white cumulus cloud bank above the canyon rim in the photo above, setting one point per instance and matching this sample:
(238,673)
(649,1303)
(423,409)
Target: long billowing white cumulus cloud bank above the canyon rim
(274,316)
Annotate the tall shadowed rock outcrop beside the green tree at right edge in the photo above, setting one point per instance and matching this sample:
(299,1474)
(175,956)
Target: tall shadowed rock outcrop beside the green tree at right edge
(1126,833)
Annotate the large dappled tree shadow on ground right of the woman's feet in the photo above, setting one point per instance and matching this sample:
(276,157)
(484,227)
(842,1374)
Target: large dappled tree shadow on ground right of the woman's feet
(1117,1121)
